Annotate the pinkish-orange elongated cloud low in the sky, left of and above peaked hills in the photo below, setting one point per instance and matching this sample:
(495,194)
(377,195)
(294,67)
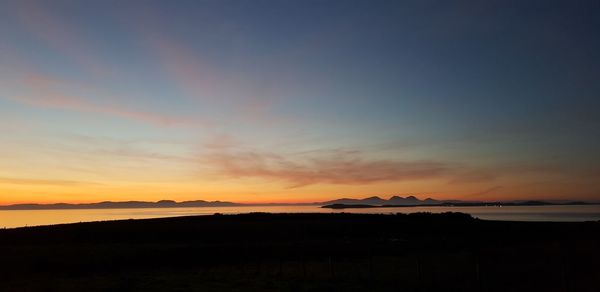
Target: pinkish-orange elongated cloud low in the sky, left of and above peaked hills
(332,167)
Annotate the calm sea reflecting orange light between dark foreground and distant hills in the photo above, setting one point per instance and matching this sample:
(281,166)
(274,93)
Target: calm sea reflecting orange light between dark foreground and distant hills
(20,218)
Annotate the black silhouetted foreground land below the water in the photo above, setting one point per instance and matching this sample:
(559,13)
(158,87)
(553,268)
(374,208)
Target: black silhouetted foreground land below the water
(303,252)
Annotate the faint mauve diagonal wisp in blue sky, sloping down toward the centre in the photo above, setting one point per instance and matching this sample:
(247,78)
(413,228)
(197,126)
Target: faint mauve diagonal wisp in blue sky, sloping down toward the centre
(251,97)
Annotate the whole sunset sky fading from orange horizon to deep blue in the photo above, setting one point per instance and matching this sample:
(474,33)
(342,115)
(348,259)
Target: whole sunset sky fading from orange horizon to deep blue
(298,101)
